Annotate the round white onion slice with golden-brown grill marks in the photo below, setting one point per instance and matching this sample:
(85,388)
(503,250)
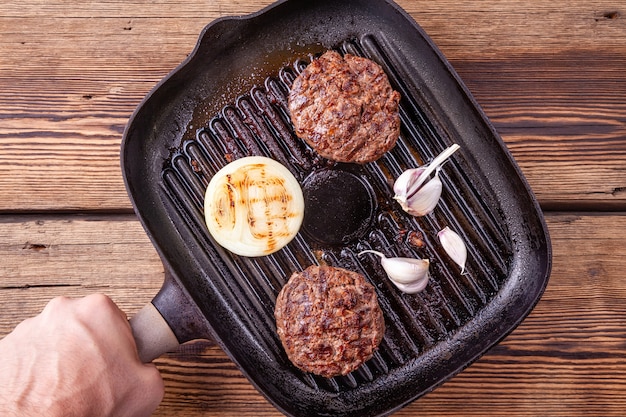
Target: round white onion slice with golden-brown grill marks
(253,206)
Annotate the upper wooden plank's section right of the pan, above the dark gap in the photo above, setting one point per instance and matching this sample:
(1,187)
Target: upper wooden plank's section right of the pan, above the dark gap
(550,77)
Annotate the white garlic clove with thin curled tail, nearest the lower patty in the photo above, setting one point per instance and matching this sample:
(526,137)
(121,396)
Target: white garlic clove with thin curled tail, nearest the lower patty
(408,274)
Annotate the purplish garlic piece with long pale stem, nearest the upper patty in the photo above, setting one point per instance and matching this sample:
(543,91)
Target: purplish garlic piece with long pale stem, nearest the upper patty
(417,193)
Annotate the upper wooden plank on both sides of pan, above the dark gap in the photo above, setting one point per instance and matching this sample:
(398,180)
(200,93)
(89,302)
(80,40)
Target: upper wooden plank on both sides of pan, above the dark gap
(71,75)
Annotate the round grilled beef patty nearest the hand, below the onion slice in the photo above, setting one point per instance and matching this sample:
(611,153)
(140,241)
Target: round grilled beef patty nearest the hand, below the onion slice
(329,320)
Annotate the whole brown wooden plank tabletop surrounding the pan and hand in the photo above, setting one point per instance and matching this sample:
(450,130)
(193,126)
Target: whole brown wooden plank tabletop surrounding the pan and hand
(550,75)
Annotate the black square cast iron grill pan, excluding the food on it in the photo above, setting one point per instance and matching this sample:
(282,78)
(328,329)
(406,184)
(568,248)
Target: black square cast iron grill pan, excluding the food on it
(228,100)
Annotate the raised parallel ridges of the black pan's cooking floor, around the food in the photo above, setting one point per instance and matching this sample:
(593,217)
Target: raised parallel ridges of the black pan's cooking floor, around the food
(258,124)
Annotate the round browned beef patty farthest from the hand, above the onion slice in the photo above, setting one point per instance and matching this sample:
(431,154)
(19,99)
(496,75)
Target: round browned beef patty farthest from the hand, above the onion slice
(345,108)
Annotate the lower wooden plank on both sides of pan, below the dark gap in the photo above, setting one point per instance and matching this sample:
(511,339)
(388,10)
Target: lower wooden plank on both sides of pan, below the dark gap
(565,359)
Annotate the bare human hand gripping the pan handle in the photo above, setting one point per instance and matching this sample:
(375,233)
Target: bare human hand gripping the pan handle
(76,358)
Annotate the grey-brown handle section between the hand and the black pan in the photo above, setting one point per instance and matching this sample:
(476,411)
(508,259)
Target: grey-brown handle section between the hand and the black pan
(152,334)
